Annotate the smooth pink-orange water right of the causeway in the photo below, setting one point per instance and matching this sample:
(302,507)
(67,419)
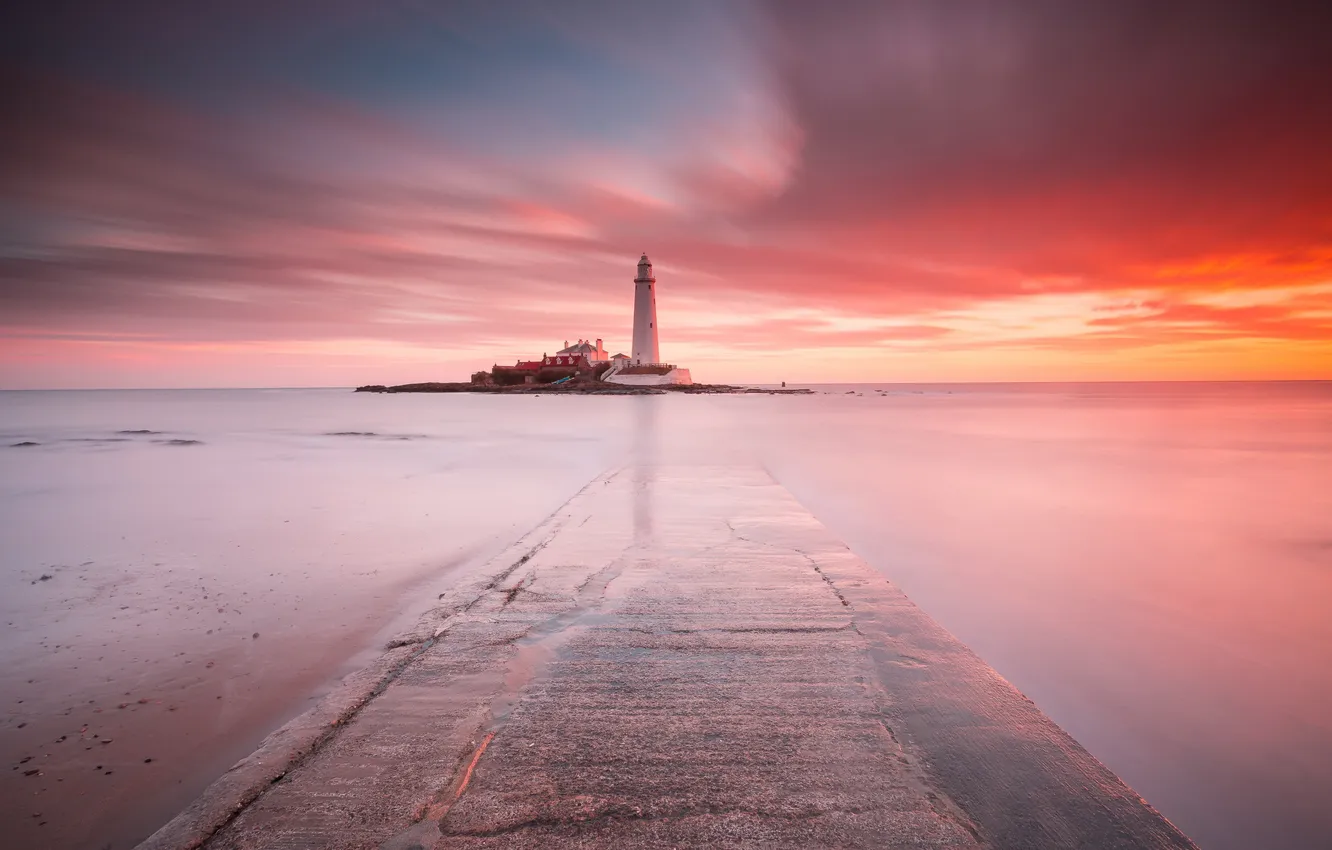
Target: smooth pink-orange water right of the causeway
(1152,564)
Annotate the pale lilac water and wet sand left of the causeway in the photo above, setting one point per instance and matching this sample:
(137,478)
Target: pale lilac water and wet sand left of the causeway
(167,607)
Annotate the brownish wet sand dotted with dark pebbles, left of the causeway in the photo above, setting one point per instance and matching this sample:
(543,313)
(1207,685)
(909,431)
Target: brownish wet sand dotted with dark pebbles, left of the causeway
(106,767)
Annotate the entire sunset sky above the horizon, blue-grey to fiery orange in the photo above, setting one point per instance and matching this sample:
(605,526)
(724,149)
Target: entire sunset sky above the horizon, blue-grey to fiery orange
(312,194)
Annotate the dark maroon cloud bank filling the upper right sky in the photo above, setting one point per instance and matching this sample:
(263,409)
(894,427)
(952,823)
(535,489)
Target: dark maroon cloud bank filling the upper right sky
(1000,131)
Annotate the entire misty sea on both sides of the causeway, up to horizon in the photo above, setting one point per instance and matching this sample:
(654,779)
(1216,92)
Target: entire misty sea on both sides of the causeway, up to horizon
(1152,564)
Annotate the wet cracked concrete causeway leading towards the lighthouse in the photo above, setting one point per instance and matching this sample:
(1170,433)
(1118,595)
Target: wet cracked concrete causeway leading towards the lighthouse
(680,657)
